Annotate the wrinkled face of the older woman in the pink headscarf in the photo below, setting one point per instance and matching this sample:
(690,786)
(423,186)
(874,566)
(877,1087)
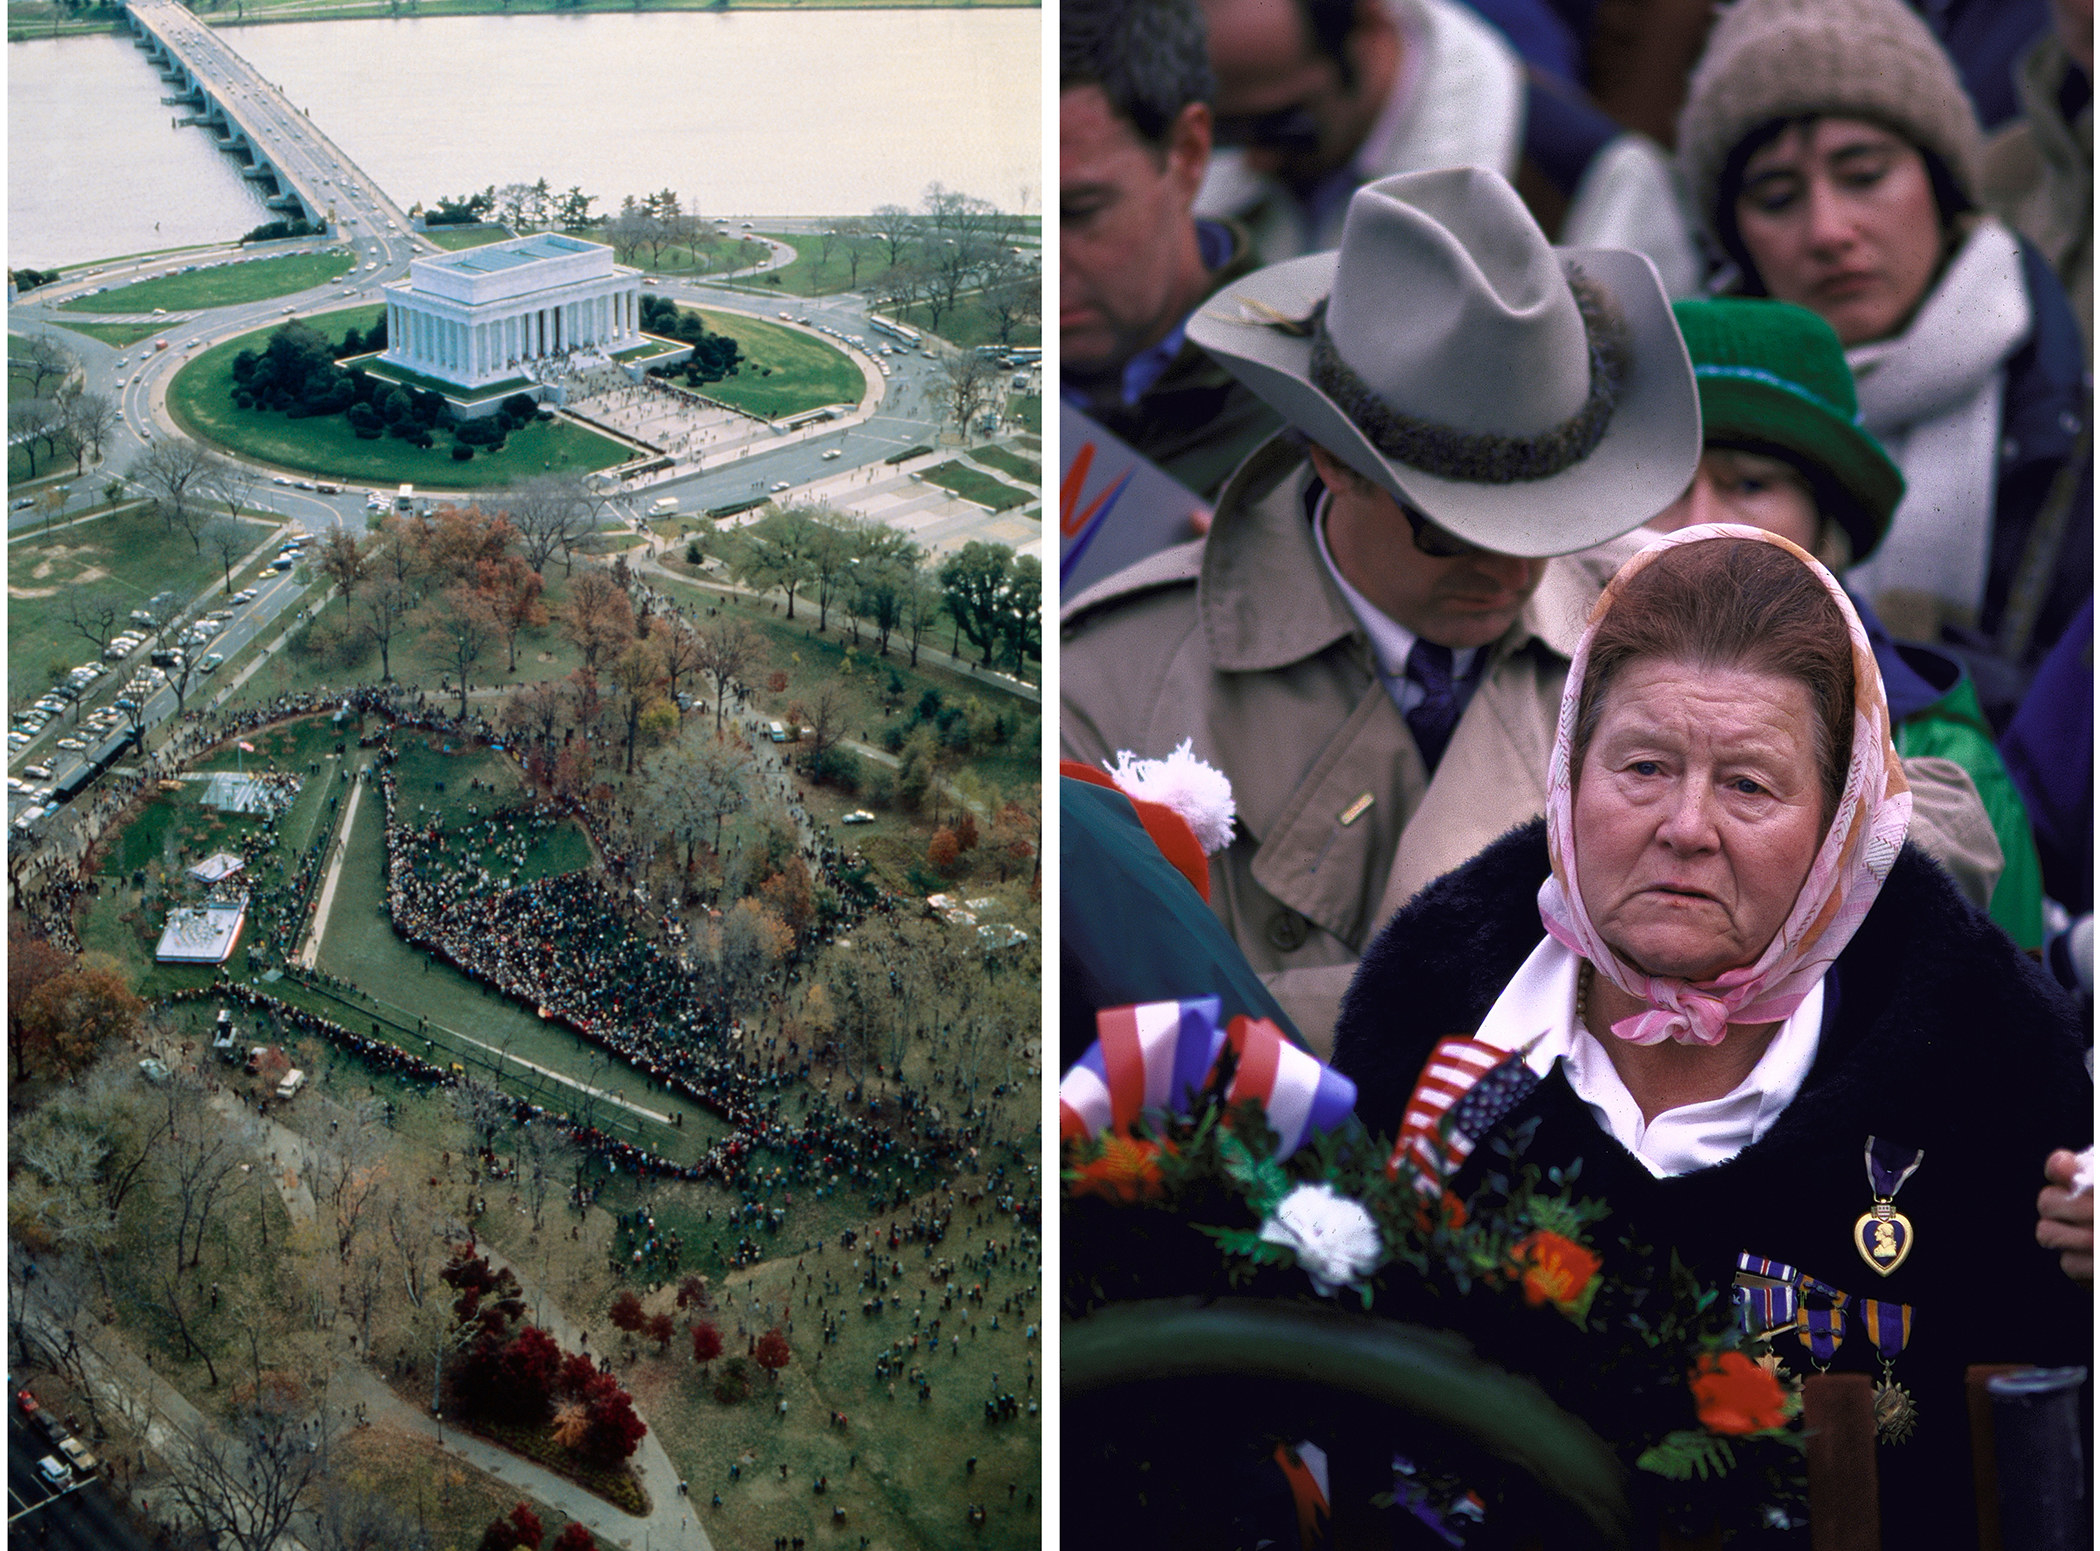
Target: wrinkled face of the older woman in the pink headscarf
(1698,815)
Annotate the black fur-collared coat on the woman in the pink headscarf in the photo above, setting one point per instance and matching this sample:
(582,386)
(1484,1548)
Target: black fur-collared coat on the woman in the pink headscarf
(1937,1034)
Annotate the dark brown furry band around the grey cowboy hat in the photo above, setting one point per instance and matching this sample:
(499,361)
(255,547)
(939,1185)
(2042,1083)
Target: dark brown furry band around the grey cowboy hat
(1486,456)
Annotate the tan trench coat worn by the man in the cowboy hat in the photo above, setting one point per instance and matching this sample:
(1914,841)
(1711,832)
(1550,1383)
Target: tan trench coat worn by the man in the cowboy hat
(1244,645)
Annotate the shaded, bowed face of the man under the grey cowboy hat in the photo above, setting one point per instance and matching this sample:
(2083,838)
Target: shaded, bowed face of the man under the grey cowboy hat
(1467,601)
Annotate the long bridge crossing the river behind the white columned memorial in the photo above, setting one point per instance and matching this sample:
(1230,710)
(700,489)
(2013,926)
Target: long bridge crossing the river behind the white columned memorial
(257,123)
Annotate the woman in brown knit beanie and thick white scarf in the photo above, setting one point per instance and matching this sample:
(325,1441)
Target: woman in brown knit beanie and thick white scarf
(1832,156)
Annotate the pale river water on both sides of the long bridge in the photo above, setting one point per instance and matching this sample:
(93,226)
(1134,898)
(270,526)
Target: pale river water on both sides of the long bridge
(763,112)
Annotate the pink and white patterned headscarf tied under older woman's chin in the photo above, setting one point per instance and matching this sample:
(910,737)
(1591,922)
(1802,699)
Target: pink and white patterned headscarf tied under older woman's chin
(1862,845)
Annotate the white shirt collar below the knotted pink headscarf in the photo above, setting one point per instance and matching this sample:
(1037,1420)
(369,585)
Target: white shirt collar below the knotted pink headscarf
(1540,1004)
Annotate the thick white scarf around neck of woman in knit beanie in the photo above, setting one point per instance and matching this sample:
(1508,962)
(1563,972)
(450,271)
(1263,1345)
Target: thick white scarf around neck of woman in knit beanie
(1935,398)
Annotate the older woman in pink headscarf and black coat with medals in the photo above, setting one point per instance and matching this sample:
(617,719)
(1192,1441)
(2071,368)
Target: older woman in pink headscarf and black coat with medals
(1773,1034)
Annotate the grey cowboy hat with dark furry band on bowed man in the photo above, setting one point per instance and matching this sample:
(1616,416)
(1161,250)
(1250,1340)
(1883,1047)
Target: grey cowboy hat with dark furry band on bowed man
(1530,400)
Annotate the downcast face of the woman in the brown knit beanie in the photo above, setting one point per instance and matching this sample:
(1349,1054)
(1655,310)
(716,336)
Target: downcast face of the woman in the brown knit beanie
(1839,217)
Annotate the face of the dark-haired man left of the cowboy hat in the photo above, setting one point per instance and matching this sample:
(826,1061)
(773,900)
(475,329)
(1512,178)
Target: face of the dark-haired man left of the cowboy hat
(1125,213)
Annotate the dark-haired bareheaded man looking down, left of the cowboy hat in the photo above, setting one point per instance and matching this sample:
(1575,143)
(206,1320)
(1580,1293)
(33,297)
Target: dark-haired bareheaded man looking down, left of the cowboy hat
(1133,148)
